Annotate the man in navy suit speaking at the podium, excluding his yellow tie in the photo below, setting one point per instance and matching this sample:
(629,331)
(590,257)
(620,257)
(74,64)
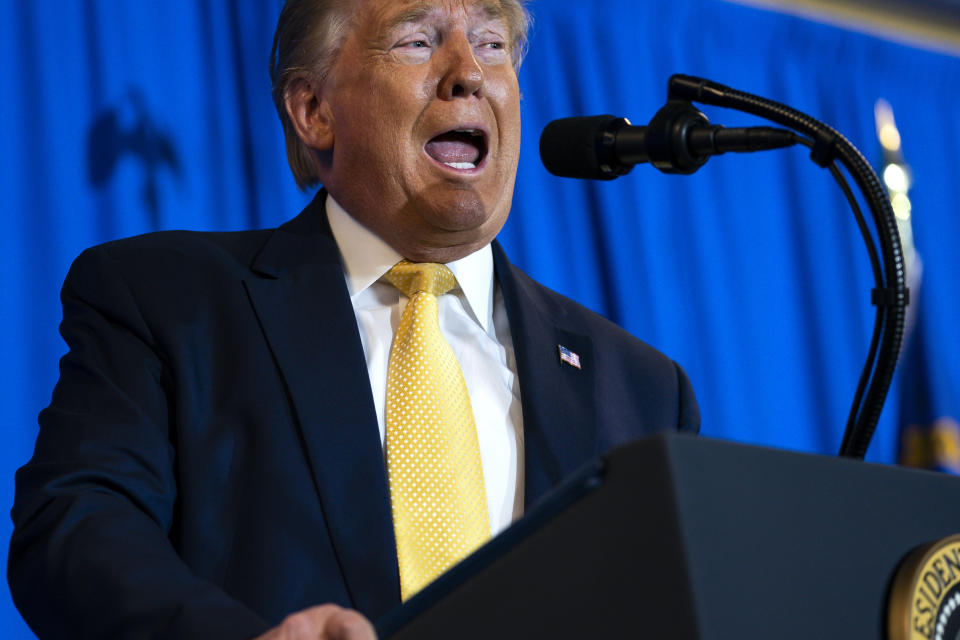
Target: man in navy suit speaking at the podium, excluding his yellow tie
(212,463)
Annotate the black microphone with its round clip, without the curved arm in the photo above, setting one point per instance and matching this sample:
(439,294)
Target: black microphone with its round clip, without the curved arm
(679,139)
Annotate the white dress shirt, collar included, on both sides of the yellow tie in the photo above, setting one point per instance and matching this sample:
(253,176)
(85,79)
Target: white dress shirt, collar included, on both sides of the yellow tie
(473,319)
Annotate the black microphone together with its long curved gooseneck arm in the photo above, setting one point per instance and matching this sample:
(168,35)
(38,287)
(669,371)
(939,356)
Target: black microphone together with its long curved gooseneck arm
(679,139)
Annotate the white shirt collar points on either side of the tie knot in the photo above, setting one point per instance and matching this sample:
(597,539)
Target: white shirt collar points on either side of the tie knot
(366,257)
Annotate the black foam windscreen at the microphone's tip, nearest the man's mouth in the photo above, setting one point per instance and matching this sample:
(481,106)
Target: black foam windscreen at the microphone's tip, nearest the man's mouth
(571,147)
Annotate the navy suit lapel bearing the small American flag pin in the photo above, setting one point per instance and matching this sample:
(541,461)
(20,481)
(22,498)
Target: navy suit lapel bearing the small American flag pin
(559,412)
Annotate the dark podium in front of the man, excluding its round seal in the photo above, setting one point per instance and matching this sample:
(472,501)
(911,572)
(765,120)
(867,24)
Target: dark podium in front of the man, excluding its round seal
(689,538)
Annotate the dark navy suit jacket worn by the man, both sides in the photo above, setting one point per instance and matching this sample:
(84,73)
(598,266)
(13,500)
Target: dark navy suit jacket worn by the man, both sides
(210,460)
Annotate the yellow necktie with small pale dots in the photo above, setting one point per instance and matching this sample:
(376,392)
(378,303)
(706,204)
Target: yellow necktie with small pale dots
(437,493)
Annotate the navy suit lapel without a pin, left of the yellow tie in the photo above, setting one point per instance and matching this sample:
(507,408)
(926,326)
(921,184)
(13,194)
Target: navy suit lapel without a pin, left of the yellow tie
(305,311)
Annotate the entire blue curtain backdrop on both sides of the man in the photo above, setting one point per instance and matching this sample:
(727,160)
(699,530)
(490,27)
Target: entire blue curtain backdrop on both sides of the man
(123,117)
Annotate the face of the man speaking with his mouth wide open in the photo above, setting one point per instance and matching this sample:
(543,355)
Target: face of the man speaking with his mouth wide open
(424,109)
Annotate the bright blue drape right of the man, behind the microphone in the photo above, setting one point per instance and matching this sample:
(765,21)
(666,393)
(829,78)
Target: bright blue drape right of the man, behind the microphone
(751,272)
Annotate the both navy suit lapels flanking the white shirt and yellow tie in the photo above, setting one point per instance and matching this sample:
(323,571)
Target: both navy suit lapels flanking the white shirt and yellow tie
(301,300)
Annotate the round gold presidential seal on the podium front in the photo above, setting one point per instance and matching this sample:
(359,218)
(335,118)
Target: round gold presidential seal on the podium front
(925,595)
